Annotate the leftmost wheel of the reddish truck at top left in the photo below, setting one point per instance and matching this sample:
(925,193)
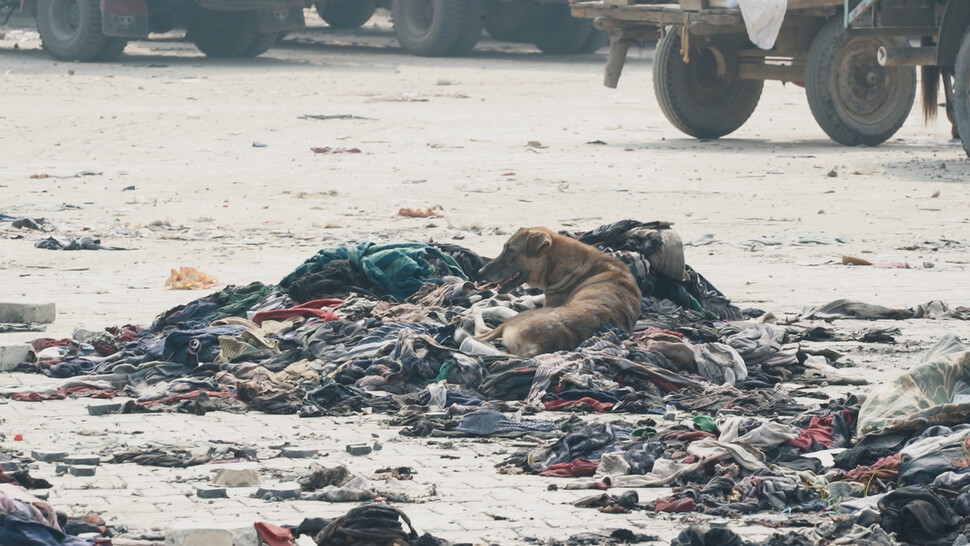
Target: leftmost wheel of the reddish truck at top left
(70,30)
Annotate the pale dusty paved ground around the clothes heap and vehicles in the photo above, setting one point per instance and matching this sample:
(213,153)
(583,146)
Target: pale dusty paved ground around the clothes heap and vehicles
(207,163)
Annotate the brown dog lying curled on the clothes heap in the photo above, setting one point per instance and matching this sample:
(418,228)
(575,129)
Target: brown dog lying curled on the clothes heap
(585,289)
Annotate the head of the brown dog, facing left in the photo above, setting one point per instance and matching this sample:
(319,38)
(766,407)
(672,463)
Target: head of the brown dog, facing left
(522,260)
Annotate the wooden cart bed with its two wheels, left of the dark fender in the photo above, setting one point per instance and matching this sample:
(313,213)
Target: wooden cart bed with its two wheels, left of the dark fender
(708,76)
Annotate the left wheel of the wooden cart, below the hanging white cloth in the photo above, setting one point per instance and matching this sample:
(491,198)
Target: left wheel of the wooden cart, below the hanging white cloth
(694,98)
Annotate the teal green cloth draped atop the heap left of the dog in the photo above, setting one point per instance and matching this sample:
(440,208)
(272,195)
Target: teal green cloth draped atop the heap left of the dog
(398,269)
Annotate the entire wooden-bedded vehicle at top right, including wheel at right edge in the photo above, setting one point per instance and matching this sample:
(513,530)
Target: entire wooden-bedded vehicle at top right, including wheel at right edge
(856,59)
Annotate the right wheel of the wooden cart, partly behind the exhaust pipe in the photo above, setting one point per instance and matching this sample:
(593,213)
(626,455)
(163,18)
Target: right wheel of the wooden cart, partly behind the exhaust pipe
(854,99)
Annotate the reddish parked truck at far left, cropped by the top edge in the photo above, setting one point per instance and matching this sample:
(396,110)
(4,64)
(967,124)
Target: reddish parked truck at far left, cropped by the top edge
(99,30)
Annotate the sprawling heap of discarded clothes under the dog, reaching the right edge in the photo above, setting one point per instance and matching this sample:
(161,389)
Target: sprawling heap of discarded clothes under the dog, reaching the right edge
(393,328)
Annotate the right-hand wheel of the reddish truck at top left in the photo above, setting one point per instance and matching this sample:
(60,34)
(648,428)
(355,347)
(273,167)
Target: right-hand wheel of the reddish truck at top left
(224,33)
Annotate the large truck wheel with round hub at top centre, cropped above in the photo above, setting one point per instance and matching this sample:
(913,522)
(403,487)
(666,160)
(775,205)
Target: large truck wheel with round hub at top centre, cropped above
(430,28)
